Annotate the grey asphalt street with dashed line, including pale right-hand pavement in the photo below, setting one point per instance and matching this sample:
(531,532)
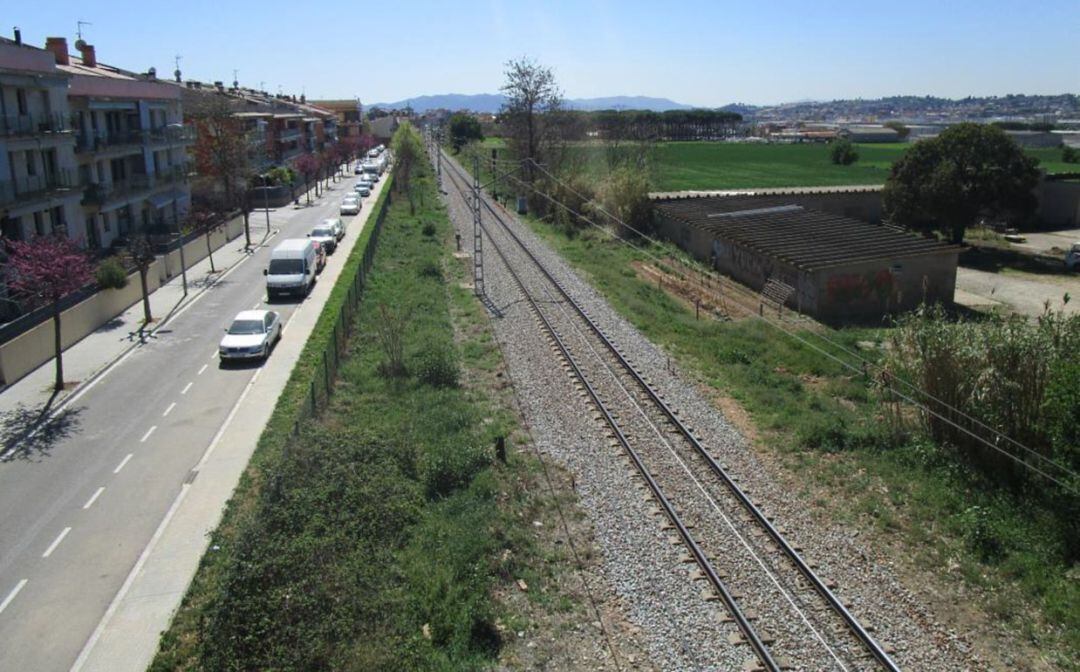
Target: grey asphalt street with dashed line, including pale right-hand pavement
(107,510)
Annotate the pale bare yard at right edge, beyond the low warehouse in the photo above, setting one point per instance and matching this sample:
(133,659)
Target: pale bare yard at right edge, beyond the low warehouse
(1025,294)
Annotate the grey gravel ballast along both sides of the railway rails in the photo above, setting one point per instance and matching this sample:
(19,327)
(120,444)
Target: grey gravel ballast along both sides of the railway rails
(681,630)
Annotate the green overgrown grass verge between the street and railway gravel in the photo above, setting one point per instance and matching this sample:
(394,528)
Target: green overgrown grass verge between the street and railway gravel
(377,539)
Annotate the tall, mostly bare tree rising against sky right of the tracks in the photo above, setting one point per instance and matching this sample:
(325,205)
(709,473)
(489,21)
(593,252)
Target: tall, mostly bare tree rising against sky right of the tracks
(532,93)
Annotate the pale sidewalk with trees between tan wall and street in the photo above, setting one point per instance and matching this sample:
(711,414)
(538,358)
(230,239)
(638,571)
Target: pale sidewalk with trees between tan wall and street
(32,400)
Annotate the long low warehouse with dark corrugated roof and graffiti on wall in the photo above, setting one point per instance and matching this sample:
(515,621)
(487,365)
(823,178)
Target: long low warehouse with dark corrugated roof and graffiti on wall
(839,270)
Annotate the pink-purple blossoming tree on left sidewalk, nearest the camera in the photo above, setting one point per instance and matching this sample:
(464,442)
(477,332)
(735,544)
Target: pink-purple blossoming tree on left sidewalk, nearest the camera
(45,271)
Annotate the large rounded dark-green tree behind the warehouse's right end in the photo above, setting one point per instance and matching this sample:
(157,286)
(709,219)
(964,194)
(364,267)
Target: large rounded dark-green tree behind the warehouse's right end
(970,170)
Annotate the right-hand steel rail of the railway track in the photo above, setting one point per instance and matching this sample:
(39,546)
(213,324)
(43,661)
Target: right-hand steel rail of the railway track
(880,654)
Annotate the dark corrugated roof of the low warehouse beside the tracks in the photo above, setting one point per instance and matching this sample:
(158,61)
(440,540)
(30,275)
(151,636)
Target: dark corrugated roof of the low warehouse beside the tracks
(806,239)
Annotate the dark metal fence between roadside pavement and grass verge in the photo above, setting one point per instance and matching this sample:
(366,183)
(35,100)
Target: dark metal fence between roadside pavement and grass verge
(321,385)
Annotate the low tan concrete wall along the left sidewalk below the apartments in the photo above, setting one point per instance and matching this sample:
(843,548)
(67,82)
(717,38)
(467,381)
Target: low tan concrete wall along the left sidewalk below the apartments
(28,352)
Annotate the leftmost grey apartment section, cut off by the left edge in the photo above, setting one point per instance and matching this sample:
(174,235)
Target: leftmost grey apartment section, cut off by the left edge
(39,189)
